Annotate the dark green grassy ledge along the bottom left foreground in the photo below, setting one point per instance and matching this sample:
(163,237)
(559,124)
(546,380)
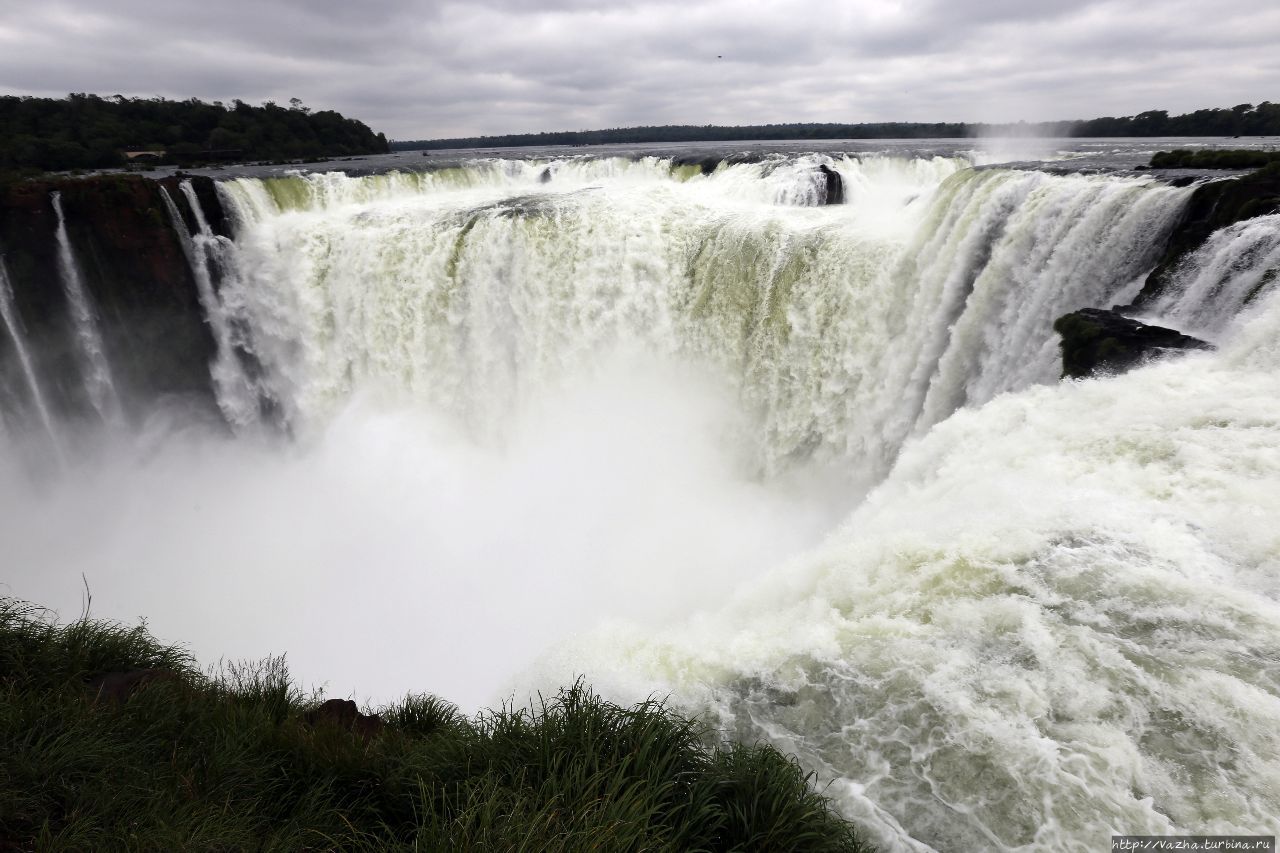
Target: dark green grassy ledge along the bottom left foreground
(235,763)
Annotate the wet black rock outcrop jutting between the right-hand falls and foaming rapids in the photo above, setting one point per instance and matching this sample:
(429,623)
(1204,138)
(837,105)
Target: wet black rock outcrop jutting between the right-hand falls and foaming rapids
(1098,341)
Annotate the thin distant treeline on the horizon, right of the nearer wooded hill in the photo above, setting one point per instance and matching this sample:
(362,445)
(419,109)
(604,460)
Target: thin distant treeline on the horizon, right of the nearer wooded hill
(1244,120)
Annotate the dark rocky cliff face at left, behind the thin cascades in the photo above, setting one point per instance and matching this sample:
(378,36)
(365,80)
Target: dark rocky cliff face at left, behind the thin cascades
(139,284)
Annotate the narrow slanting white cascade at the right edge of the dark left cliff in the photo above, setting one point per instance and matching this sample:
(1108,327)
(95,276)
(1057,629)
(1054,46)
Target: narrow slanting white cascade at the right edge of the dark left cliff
(236,395)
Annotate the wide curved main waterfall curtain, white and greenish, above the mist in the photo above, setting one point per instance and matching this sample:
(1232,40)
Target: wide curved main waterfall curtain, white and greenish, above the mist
(844,330)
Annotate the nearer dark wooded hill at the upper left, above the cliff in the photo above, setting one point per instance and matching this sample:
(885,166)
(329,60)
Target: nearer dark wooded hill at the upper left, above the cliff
(90,133)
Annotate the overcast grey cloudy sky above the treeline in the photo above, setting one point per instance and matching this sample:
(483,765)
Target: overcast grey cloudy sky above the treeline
(423,70)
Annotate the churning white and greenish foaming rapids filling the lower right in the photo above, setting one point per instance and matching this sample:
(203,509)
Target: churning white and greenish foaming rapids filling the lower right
(1058,619)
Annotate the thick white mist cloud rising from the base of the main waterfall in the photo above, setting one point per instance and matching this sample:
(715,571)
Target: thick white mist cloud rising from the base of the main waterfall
(391,554)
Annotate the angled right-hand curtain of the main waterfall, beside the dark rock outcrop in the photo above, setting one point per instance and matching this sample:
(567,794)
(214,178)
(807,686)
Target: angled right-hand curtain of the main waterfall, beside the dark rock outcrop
(1039,248)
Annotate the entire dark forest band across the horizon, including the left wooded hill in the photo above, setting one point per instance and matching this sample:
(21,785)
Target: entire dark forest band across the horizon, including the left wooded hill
(92,133)
